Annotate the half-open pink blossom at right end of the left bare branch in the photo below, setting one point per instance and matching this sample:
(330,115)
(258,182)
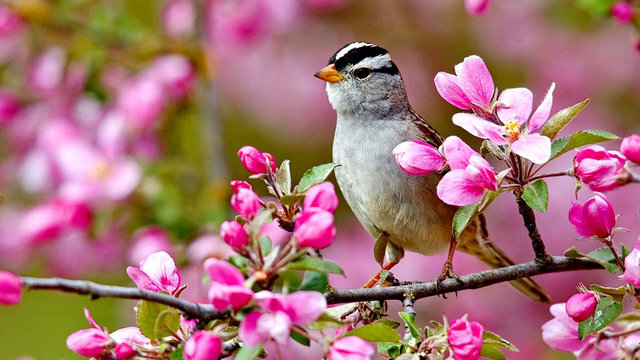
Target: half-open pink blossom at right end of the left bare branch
(227,285)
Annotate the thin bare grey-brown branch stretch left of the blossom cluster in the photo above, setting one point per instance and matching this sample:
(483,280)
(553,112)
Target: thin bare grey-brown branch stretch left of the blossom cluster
(203,312)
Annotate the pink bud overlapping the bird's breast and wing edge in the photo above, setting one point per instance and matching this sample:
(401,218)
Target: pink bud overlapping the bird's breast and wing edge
(418,158)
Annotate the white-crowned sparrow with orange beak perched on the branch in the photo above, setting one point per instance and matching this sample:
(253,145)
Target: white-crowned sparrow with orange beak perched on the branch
(401,211)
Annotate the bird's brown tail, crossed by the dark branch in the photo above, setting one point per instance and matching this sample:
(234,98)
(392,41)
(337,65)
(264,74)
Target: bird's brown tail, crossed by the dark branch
(475,241)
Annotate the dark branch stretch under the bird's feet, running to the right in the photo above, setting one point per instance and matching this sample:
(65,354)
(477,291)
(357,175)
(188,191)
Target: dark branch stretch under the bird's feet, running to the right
(471,281)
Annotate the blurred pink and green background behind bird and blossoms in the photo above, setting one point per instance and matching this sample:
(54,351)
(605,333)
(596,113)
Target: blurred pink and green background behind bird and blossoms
(120,120)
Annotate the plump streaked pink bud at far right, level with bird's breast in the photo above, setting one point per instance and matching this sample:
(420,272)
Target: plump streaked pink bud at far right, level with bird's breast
(598,168)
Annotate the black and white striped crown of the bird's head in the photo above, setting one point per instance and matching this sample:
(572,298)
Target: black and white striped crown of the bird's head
(359,54)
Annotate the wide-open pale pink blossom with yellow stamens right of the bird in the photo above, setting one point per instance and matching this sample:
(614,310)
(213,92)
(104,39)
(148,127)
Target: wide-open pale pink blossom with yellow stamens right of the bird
(514,108)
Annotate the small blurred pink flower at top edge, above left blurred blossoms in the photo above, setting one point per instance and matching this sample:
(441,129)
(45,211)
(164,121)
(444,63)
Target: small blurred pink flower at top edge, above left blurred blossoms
(179,18)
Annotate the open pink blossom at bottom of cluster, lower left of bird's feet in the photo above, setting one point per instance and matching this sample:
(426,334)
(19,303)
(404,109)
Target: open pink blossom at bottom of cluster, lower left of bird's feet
(281,312)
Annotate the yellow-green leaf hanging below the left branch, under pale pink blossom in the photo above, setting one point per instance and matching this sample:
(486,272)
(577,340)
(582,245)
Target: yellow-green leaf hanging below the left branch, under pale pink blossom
(156,320)
